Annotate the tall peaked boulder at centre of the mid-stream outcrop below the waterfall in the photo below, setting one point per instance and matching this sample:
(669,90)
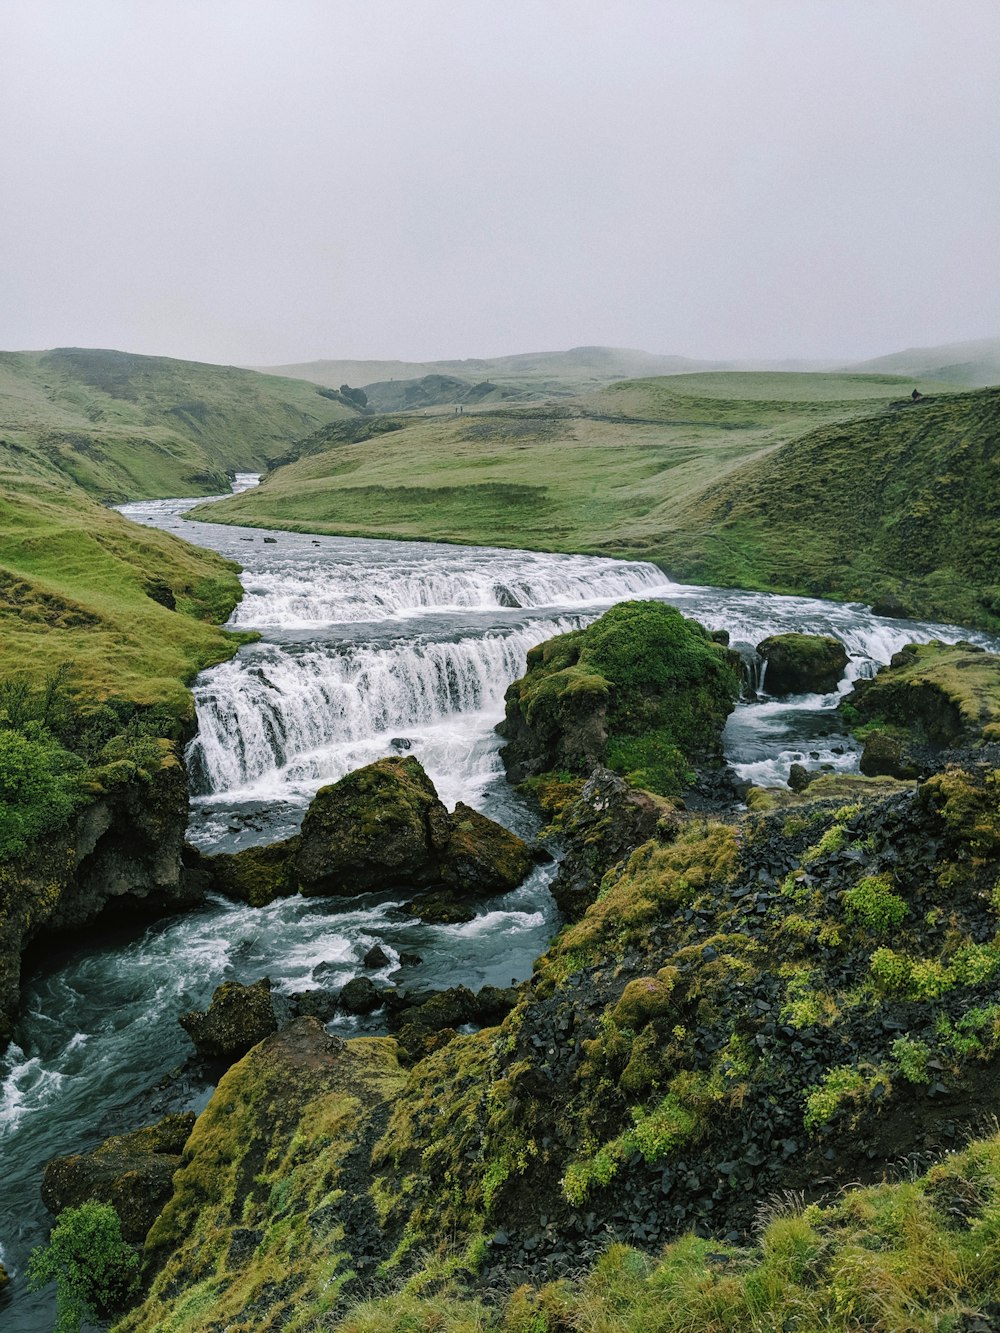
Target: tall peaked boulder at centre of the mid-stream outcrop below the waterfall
(382,824)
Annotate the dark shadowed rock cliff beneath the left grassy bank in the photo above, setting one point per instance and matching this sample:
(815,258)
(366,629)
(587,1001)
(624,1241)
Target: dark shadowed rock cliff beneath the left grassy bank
(121,854)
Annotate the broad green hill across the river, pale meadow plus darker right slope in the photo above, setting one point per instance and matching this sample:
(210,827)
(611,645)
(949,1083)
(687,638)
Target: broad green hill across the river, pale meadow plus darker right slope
(701,473)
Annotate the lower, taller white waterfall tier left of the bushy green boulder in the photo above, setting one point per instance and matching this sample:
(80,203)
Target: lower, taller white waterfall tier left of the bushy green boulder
(282,718)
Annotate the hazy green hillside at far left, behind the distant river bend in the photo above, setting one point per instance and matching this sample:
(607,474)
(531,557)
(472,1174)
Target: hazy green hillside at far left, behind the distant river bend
(134,427)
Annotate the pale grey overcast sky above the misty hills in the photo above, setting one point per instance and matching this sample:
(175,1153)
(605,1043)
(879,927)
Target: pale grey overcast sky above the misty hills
(262,182)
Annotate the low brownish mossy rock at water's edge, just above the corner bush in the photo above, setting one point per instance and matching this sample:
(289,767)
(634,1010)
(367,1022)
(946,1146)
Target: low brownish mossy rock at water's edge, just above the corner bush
(131,1172)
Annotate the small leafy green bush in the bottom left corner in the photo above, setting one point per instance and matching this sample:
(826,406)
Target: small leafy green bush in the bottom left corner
(95,1271)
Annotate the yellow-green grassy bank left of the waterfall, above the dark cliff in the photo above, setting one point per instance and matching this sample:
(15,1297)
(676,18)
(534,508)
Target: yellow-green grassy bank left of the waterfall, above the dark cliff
(131,611)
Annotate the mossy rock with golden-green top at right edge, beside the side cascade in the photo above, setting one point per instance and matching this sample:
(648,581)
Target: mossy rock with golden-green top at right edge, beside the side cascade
(930,699)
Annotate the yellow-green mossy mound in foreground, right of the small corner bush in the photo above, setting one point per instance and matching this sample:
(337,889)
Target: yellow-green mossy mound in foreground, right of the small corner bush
(271,1214)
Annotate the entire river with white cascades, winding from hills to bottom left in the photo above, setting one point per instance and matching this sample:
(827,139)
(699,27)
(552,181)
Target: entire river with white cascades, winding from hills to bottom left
(369,649)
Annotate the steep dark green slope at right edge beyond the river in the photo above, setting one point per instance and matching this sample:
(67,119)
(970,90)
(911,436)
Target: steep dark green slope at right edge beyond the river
(903,503)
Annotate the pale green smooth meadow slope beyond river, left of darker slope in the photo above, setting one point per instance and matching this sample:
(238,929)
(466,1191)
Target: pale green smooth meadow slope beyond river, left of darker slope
(614,473)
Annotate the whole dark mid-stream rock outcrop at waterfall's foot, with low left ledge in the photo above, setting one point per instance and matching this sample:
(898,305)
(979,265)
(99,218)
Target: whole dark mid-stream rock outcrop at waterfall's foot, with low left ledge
(382,826)
